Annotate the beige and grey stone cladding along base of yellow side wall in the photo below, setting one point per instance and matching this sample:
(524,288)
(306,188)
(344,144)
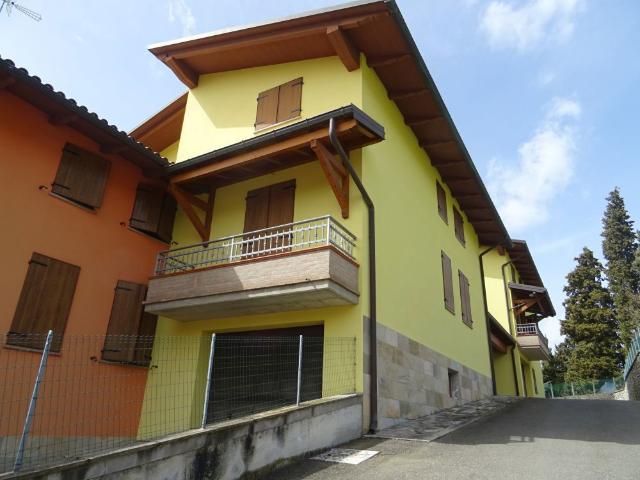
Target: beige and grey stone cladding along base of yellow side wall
(413,380)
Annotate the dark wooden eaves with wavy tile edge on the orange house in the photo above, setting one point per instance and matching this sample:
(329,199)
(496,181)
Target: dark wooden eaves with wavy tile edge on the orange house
(61,110)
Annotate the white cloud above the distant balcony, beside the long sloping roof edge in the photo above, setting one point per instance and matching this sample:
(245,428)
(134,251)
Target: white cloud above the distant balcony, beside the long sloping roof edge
(524,190)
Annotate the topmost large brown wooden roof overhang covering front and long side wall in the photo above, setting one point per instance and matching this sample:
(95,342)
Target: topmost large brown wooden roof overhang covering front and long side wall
(377,30)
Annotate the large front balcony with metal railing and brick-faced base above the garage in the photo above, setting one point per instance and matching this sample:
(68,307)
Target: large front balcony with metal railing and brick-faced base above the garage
(297,266)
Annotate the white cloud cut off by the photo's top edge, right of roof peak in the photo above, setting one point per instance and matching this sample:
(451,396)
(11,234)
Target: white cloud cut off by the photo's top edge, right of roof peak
(529,24)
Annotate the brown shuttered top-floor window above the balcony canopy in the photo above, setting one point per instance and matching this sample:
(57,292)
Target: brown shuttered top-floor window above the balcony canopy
(279,104)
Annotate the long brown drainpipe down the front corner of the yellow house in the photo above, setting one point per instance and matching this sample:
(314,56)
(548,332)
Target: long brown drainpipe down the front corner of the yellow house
(373,357)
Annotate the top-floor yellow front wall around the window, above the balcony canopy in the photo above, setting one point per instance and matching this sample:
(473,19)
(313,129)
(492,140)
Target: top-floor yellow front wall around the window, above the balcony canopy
(222,109)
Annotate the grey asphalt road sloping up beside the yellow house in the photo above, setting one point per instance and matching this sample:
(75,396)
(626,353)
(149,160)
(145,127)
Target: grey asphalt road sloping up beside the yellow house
(531,439)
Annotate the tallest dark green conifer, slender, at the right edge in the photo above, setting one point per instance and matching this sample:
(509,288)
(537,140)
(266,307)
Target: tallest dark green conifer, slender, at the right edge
(619,247)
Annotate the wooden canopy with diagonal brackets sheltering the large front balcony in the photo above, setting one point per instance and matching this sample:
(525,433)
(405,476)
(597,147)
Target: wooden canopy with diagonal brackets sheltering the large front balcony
(289,146)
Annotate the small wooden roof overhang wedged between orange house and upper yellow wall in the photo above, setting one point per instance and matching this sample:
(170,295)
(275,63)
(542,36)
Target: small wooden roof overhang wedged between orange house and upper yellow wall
(163,129)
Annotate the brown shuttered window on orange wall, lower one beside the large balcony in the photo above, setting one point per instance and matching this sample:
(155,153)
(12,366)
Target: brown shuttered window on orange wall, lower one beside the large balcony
(131,330)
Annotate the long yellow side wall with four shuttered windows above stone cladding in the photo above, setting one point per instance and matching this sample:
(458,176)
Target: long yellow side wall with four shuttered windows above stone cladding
(410,236)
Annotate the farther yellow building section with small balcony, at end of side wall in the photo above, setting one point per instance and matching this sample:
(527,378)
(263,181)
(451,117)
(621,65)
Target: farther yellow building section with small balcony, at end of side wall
(516,302)
